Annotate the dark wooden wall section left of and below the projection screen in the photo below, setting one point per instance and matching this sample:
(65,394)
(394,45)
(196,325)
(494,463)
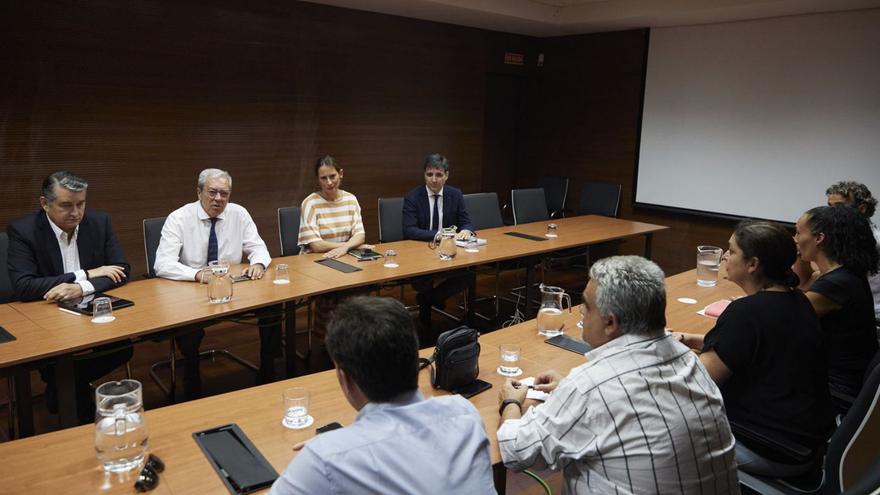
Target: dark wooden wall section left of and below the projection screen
(583,112)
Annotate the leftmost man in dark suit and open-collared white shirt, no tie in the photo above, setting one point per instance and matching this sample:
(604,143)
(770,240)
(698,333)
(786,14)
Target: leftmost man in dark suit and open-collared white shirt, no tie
(65,252)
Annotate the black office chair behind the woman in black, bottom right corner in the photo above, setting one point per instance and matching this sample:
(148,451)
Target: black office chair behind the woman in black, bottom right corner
(850,456)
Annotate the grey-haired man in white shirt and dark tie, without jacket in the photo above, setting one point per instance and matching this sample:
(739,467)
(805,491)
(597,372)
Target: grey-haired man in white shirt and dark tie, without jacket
(206,230)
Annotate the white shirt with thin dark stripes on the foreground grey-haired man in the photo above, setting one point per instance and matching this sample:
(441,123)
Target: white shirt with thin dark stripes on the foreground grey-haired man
(641,416)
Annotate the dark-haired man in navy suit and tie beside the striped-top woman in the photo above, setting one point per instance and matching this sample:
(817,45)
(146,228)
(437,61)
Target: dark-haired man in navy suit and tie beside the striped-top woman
(426,210)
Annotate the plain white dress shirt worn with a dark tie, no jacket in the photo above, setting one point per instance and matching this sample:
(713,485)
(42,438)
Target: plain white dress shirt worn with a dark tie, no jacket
(183,249)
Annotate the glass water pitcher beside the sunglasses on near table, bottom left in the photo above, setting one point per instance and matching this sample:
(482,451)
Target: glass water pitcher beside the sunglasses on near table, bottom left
(120,430)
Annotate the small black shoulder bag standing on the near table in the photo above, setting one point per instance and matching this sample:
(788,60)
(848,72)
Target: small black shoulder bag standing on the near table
(456,358)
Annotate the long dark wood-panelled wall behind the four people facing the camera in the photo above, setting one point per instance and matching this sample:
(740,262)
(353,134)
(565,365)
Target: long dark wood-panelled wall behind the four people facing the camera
(139,96)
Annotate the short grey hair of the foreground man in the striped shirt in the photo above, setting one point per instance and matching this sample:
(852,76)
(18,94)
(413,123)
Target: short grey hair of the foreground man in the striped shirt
(633,289)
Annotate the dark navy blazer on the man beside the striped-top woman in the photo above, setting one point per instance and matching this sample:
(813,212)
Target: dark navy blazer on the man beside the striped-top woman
(417,213)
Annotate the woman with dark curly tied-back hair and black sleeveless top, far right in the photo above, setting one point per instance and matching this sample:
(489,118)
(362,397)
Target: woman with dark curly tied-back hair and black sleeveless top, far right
(838,239)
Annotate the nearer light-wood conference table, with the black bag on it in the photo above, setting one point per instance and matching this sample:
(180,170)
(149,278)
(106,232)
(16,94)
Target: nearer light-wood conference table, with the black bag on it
(64,461)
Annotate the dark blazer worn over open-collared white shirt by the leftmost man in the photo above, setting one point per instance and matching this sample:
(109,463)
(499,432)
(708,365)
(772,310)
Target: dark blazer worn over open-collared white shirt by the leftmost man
(35,263)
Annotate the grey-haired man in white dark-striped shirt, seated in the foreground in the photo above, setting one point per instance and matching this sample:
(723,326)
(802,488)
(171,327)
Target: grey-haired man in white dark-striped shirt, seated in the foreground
(641,416)
